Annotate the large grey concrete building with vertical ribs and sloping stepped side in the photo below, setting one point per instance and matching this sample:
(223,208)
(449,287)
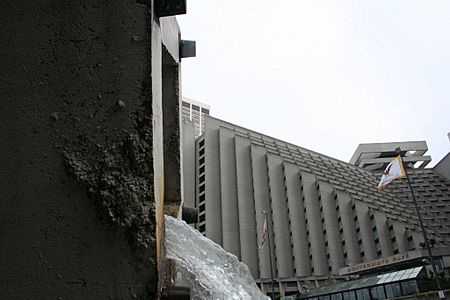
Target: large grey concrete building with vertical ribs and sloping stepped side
(324,214)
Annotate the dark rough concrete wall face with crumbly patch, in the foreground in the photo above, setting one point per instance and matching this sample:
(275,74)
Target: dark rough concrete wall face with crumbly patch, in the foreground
(76,175)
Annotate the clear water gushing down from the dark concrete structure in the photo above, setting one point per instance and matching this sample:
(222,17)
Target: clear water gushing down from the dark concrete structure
(210,271)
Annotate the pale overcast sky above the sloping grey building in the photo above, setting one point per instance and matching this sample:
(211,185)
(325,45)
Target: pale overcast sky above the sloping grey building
(324,75)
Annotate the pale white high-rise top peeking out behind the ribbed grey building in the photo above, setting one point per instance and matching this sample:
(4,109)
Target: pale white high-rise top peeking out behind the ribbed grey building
(194,111)
